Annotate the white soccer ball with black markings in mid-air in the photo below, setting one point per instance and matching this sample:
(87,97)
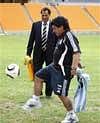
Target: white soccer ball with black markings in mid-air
(12,71)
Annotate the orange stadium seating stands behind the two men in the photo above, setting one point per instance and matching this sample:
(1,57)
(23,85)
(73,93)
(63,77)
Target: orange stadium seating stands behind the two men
(18,15)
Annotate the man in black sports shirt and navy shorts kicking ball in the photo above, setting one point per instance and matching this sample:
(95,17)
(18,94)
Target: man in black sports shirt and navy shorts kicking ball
(66,58)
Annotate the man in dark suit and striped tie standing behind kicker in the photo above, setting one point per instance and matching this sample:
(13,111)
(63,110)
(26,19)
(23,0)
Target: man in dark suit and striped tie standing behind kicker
(42,42)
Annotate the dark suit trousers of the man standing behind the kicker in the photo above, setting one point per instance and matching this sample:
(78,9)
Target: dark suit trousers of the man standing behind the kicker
(38,64)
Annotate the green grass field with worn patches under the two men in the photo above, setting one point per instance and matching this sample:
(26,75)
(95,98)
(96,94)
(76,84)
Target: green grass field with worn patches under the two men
(14,92)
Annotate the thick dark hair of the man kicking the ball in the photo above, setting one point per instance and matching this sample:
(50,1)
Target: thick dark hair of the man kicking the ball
(61,21)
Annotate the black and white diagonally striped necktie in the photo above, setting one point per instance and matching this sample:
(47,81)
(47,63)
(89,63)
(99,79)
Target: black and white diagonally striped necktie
(44,37)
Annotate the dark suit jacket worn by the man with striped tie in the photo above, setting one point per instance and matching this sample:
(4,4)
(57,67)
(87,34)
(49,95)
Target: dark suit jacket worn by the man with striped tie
(35,39)
